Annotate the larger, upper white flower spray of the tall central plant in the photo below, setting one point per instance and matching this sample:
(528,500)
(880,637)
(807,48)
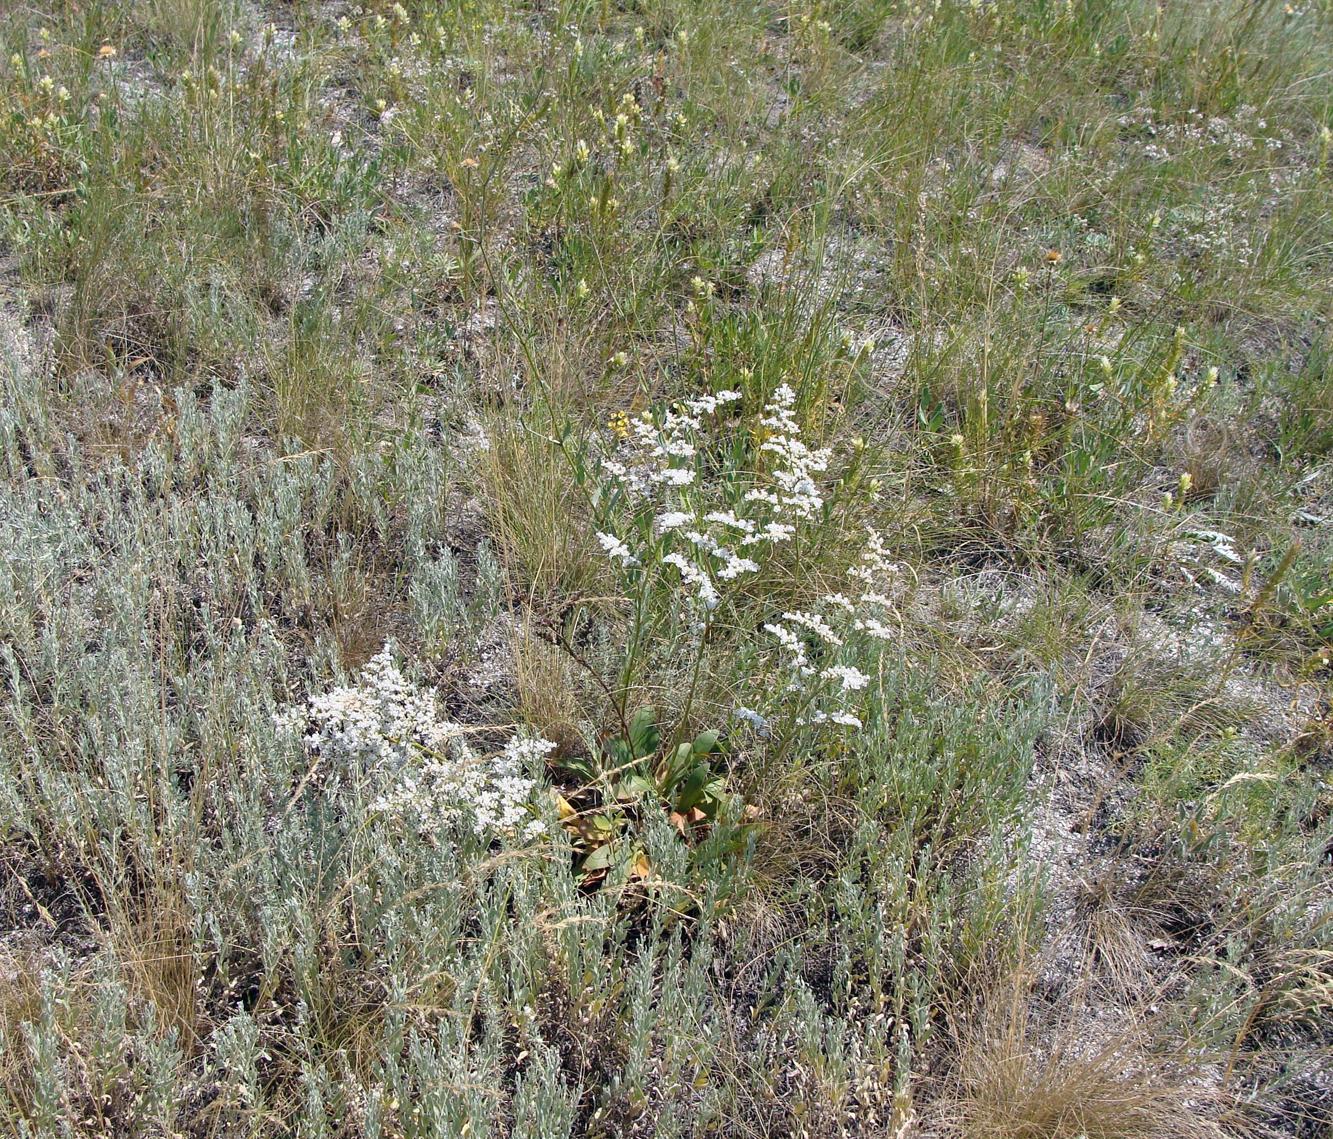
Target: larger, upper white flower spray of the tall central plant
(707,529)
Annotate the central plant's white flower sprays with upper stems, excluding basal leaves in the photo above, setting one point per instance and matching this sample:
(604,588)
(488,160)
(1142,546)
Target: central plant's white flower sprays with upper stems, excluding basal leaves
(698,510)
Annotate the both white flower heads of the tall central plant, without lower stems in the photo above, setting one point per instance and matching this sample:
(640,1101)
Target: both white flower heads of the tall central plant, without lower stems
(706,525)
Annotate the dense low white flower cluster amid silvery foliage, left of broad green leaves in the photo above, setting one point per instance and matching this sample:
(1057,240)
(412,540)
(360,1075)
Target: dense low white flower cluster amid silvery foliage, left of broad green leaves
(426,773)
